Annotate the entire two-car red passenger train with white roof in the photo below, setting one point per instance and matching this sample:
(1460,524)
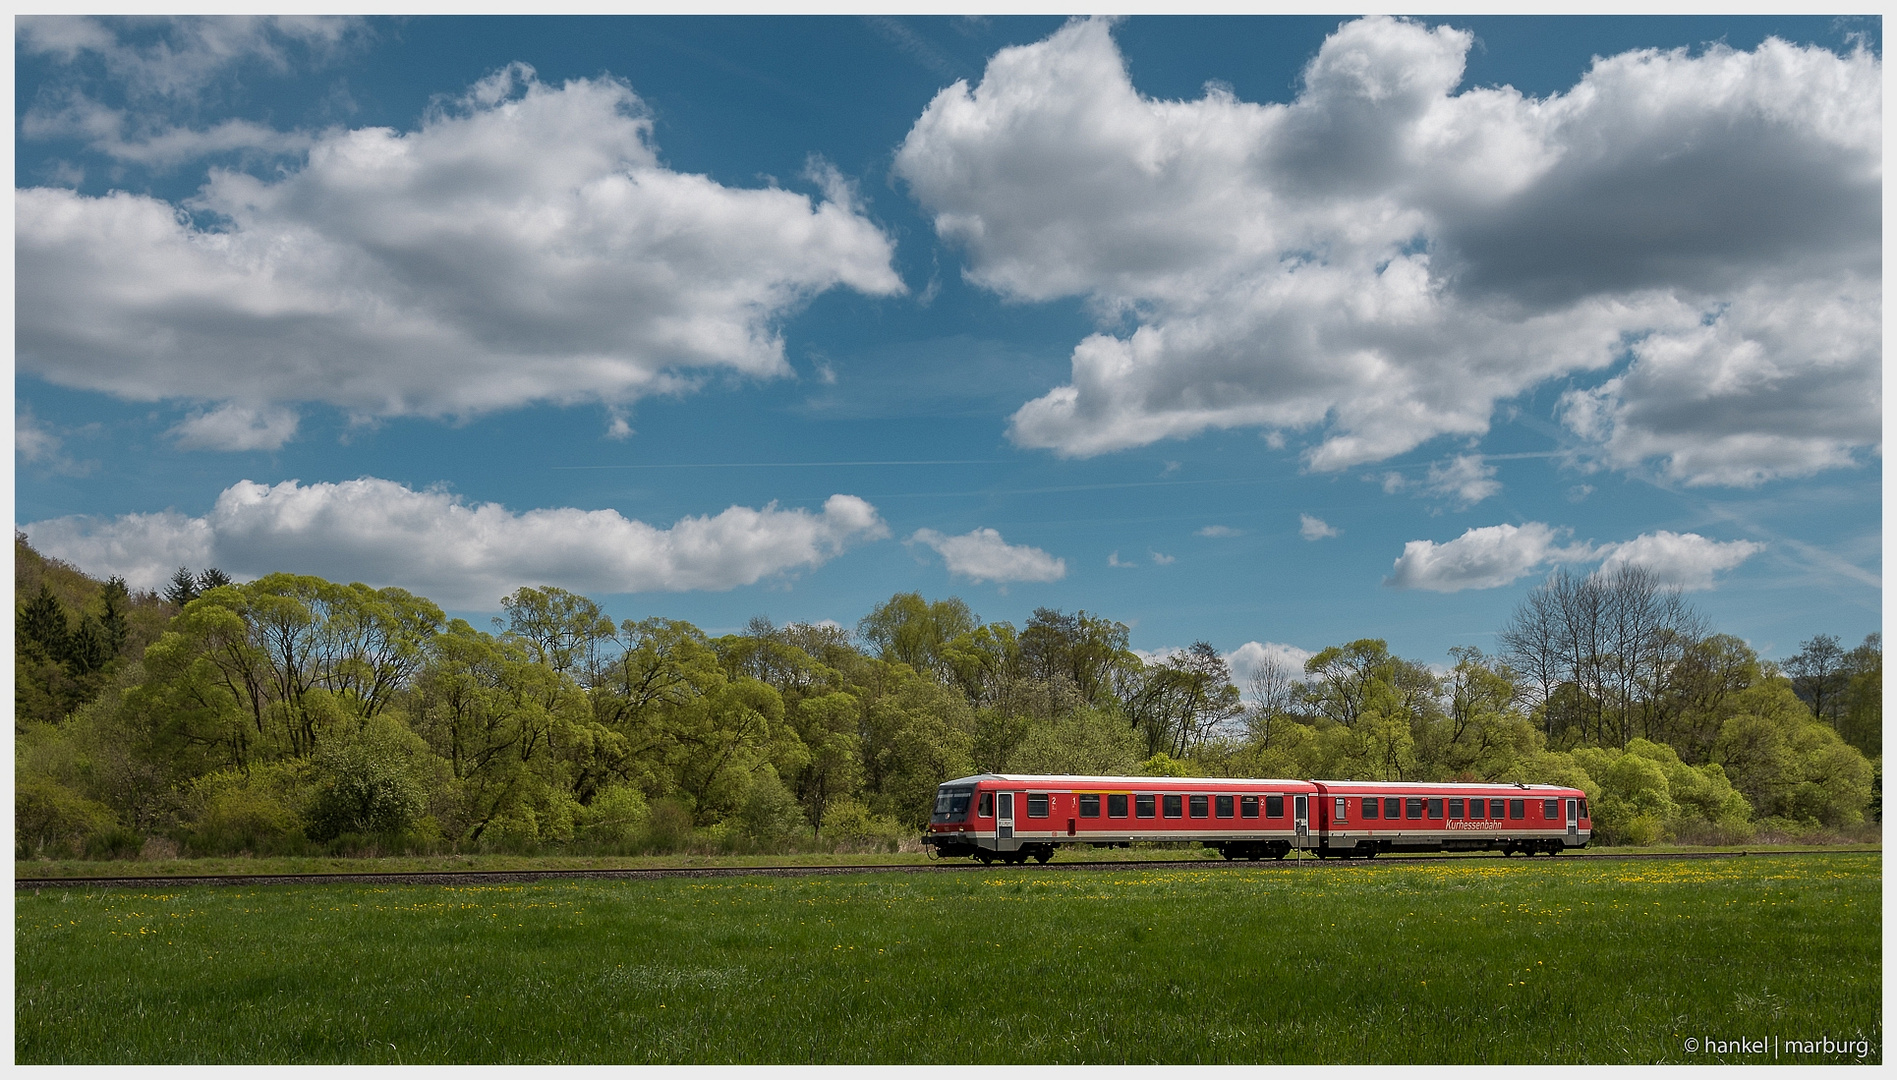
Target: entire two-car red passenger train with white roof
(1014,819)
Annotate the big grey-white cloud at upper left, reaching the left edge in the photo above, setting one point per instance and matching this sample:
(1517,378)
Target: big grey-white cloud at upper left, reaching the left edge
(523,246)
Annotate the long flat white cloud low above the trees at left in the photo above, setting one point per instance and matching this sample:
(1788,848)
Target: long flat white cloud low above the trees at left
(462,555)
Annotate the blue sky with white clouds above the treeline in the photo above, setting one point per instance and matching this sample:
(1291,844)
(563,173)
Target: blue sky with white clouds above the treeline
(1262,331)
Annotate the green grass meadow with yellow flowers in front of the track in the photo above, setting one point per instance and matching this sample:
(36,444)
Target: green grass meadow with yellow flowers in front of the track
(1454,961)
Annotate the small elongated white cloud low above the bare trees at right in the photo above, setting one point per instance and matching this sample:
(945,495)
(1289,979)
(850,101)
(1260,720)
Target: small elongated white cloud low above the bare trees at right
(1498,555)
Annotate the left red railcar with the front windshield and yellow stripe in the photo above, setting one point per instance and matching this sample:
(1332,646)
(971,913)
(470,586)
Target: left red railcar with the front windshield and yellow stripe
(1012,817)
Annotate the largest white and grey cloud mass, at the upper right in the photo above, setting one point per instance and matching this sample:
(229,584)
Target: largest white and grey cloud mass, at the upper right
(1384,259)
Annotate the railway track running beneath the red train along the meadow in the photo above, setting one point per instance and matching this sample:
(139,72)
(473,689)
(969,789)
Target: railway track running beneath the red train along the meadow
(946,866)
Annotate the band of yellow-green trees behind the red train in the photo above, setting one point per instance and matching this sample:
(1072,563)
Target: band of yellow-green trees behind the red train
(301,717)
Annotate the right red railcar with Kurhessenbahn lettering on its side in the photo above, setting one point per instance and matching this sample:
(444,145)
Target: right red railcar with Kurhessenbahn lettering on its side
(1363,819)
